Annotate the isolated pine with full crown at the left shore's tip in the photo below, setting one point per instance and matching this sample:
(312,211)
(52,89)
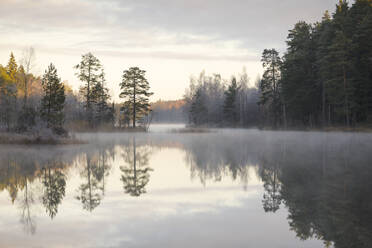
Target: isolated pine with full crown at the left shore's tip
(135,90)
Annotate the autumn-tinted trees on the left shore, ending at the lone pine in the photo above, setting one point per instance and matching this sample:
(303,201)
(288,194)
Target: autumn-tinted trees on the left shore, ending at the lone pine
(30,103)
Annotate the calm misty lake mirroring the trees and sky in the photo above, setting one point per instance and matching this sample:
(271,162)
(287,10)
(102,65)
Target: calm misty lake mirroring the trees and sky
(225,188)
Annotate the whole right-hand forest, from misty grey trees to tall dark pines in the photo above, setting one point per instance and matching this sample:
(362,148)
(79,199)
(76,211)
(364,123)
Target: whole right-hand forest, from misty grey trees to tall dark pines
(324,79)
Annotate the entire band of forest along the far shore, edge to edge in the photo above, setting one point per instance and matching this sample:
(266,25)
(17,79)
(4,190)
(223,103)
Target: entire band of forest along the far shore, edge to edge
(323,79)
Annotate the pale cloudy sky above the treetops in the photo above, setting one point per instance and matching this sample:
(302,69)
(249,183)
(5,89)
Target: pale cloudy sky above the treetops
(170,39)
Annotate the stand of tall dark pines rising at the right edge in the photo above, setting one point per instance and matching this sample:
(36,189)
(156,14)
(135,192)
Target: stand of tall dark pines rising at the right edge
(325,76)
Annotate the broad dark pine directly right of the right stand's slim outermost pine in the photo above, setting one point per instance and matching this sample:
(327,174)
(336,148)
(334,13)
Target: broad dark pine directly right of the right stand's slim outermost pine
(299,87)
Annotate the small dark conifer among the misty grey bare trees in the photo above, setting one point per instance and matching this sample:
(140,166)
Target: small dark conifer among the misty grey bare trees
(230,108)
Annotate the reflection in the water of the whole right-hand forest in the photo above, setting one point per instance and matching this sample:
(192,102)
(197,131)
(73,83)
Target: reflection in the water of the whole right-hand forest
(324,182)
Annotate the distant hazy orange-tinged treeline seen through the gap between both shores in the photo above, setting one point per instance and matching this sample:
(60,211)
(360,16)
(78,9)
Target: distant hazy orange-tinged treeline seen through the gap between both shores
(168,111)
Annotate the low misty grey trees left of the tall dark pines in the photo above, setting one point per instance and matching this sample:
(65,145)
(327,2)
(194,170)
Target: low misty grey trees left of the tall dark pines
(213,101)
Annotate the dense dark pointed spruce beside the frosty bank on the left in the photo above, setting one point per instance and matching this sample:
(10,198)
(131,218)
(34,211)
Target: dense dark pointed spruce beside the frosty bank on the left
(53,100)
